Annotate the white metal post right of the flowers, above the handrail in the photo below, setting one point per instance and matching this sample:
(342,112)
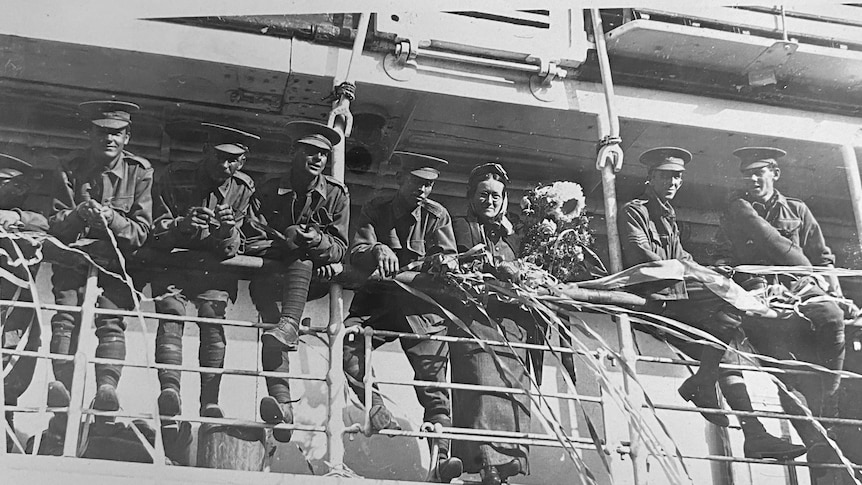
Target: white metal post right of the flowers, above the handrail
(612,128)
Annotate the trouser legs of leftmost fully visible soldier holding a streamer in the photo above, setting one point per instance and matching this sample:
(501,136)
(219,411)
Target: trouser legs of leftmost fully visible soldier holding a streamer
(68,287)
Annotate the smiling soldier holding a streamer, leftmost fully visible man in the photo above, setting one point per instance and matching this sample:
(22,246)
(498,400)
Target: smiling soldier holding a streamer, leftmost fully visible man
(103,195)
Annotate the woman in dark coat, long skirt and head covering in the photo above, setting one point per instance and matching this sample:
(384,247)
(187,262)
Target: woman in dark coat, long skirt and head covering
(486,224)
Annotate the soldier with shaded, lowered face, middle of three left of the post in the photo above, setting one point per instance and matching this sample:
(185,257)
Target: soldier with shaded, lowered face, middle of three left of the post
(200,206)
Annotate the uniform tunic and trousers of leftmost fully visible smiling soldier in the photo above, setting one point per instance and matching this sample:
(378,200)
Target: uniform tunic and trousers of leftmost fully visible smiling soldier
(126,188)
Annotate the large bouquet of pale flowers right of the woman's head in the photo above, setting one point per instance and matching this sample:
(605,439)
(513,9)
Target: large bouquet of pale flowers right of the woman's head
(555,232)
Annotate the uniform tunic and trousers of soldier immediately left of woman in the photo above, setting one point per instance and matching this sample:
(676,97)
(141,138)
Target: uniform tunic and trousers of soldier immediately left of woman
(412,233)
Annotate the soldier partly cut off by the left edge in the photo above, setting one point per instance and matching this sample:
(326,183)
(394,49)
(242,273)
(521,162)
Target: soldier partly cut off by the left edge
(20,328)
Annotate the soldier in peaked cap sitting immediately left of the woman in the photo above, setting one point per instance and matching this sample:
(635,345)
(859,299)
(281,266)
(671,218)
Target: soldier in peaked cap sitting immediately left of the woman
(392,232)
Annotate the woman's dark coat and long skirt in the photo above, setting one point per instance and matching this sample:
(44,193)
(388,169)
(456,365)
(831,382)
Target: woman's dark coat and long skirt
(472,365)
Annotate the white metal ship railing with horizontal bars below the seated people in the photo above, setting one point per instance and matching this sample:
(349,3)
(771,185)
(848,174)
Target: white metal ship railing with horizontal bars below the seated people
(334,426)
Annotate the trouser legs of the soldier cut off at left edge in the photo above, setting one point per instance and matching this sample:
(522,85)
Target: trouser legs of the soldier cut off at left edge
(14,324)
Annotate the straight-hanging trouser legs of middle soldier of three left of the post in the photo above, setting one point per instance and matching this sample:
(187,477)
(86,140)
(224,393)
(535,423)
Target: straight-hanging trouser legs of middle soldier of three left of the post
(211,352)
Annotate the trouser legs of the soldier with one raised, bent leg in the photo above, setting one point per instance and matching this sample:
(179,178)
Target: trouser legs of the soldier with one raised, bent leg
(276,297)
